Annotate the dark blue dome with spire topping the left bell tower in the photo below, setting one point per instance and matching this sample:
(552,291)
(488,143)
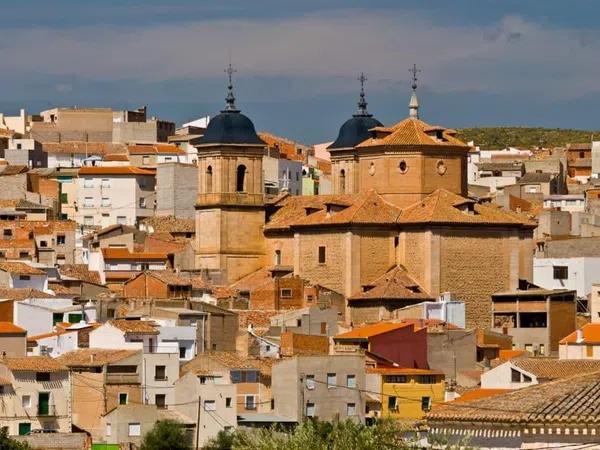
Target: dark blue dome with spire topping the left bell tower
(231,126)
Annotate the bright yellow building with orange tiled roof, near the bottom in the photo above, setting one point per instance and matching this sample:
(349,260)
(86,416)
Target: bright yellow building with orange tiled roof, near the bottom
(407,393)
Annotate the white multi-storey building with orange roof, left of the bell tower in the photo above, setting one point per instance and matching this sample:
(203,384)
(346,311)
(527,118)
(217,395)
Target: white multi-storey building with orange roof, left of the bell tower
(114,195)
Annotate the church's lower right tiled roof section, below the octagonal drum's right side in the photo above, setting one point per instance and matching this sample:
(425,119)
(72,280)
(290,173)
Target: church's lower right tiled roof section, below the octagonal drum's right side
(444,207)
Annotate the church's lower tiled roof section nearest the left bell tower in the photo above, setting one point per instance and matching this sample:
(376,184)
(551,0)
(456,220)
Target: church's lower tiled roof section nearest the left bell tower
(320,210)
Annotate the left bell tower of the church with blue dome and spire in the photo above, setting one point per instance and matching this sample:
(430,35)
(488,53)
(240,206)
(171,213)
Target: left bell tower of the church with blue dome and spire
(230,211)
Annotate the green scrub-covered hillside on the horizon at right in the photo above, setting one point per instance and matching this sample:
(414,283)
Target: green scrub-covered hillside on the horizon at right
(490,138)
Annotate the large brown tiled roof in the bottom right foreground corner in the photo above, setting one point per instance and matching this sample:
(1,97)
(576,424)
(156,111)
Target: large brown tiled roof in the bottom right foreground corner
(571,400)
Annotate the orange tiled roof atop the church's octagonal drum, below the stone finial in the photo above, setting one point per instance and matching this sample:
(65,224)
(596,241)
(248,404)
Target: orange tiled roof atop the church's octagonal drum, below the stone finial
(413,132)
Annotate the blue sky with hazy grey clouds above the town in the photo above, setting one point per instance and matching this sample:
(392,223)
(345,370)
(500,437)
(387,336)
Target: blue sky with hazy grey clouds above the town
(504,62)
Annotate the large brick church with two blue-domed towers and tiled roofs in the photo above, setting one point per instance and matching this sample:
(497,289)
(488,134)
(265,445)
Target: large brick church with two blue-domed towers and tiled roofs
(398,228)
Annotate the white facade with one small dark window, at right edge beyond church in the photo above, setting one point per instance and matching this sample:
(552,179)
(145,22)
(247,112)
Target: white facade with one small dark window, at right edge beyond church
(582,272)
